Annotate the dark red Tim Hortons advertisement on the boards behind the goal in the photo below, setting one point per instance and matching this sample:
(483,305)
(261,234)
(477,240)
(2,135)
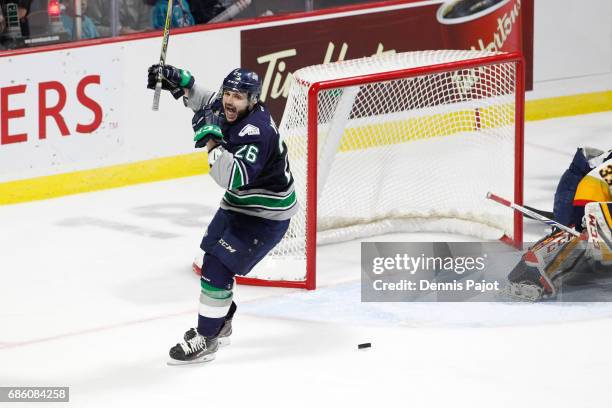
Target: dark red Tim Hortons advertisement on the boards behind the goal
(495,25)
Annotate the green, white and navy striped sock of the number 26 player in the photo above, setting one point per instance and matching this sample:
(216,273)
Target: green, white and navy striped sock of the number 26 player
(215,304)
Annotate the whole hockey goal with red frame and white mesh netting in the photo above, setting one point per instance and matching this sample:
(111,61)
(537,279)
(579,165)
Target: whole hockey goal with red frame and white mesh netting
(399,143)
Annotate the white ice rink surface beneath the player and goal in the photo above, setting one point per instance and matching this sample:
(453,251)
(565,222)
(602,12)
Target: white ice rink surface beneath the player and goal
(96,288)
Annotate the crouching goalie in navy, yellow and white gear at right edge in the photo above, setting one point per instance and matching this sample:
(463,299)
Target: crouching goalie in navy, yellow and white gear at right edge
(583,200)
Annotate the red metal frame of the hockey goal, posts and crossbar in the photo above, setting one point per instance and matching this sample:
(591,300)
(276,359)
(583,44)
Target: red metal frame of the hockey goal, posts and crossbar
(313,125)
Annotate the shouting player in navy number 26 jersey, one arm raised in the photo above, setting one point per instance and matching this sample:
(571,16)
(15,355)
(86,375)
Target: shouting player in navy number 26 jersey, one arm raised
(248,158)
